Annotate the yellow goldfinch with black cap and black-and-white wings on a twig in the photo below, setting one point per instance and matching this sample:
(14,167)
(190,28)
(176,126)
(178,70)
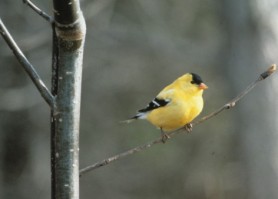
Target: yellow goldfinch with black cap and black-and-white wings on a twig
(176,105)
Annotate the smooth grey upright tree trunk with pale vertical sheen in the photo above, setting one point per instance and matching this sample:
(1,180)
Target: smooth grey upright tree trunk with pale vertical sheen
(67,71)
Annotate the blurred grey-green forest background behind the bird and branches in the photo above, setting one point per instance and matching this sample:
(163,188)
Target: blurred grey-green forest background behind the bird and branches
(133,49)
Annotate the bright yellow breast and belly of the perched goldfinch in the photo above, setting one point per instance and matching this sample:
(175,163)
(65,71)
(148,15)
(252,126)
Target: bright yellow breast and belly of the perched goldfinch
(180,111)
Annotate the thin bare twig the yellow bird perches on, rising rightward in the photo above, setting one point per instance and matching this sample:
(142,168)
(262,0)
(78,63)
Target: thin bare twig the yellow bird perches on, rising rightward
(229,105)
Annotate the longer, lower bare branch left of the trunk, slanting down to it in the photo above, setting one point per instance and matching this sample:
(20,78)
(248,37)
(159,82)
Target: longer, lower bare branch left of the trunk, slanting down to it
(27,65)
